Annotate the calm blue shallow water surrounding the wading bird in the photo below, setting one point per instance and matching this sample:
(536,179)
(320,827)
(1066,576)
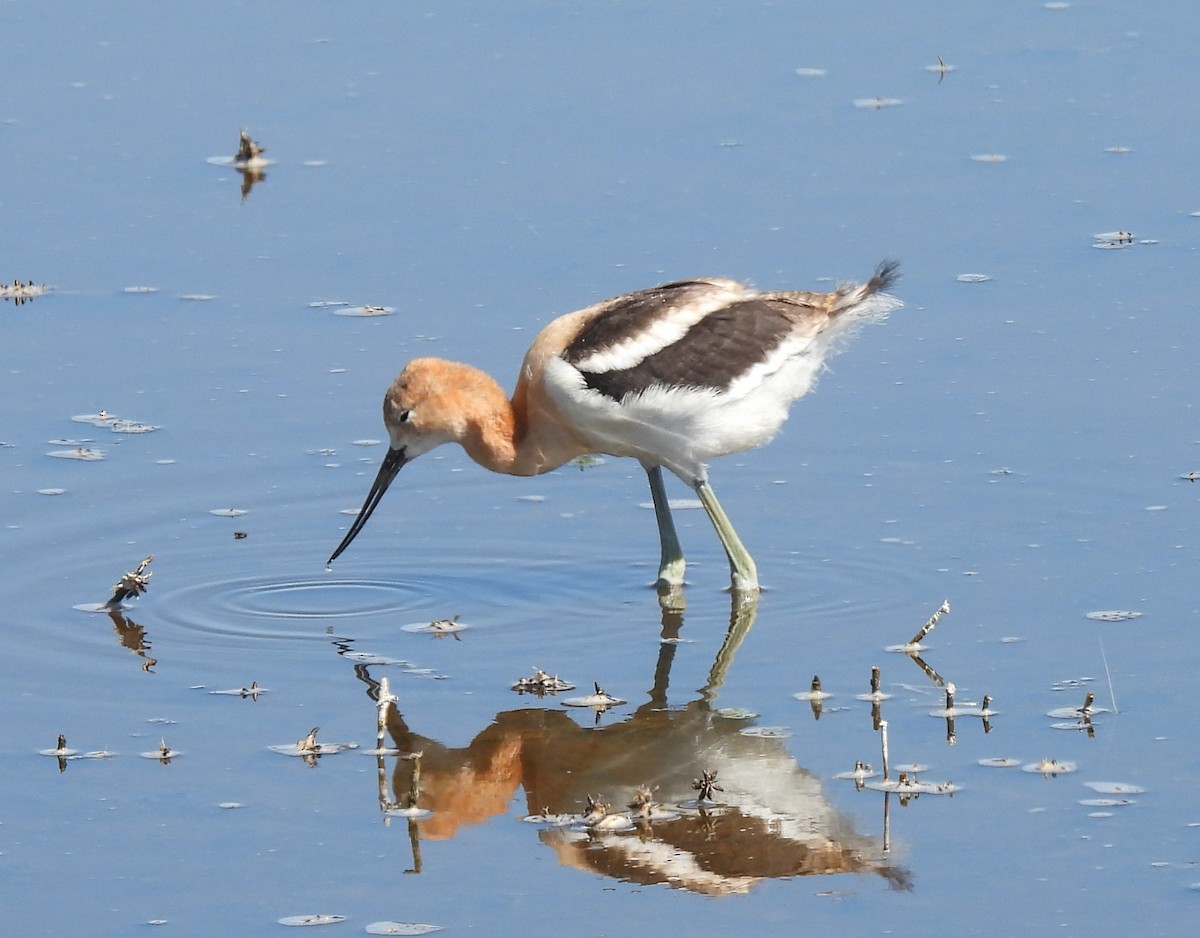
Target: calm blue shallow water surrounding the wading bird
(1016,446)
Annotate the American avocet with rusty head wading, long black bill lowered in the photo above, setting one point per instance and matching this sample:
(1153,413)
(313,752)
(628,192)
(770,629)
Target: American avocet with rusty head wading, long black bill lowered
(671,376)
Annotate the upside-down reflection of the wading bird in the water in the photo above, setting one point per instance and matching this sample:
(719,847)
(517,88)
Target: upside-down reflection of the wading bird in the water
(772,817)
